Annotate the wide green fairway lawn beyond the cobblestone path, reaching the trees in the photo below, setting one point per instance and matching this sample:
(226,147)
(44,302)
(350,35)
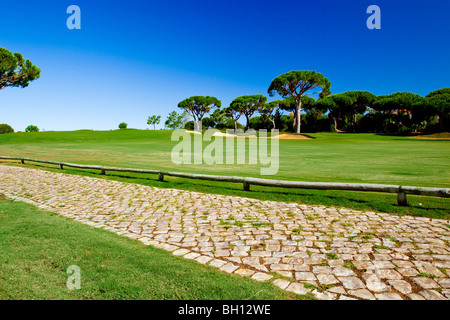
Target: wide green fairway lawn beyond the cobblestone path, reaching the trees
(356,158)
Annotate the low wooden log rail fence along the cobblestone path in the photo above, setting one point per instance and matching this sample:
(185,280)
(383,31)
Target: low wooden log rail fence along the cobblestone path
(401,191)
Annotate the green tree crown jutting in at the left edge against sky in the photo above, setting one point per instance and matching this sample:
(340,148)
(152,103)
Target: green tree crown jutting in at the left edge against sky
(15,71)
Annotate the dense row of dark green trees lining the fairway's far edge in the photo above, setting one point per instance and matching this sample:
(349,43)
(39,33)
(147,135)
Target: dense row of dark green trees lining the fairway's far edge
(351,111)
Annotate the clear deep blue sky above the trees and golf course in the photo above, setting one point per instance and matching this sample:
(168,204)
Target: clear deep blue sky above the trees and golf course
(132,59)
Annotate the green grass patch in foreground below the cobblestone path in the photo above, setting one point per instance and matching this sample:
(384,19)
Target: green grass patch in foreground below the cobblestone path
(37,247)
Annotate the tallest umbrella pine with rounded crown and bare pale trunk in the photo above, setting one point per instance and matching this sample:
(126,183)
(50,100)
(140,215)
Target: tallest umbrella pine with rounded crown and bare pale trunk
(296,84)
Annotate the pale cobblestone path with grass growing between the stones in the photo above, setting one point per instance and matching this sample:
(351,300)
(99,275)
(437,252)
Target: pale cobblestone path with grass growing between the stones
(334,254)
